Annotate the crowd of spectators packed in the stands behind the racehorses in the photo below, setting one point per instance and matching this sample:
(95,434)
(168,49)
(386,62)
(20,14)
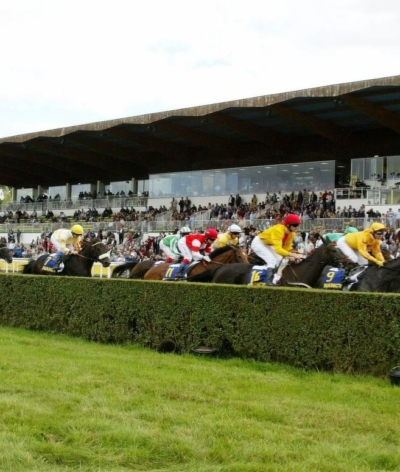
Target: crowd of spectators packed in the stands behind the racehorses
(126,245)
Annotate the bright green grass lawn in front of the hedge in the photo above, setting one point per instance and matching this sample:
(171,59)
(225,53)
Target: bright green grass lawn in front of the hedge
(67,404)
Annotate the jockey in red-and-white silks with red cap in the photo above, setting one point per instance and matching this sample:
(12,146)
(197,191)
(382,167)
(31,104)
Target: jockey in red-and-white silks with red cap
(191,245)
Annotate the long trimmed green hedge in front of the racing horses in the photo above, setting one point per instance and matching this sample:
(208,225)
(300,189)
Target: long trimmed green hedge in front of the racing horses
(327,330)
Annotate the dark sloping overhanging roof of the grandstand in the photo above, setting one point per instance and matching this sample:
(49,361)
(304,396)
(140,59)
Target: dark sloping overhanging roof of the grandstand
(342,121)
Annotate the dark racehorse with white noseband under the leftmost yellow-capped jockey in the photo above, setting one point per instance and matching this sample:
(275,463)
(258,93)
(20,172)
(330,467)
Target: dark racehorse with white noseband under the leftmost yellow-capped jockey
(78,265)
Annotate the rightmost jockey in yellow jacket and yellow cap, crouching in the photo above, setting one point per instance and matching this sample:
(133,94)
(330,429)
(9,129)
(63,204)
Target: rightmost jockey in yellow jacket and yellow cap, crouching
(359,246)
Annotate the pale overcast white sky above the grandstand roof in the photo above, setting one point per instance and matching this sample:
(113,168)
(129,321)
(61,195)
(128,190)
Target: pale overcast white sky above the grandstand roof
(66,63)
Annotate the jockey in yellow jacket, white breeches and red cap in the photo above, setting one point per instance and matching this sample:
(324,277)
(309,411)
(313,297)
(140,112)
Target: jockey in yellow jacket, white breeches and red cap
(275,243)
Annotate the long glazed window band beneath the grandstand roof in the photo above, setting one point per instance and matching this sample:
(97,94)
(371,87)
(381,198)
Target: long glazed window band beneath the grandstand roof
(244,180)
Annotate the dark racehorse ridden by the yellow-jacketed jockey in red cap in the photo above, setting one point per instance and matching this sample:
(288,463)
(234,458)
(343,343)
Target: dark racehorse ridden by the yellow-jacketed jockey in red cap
(304,274)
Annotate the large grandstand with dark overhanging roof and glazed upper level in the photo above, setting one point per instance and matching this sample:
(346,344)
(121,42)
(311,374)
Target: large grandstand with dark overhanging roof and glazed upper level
(326,138)
